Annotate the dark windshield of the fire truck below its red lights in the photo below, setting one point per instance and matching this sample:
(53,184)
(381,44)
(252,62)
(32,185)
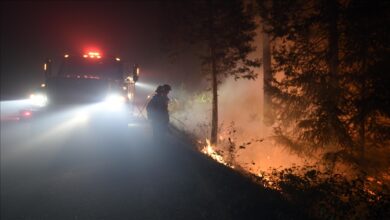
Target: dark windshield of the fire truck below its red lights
(91,68)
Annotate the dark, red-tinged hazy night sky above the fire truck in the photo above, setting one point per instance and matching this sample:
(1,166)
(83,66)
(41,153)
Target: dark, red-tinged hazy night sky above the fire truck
(31,32)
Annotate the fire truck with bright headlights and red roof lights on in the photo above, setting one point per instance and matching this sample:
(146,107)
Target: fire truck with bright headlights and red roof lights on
(88,78)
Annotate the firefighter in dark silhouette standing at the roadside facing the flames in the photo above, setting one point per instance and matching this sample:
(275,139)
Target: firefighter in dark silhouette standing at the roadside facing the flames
(157,111)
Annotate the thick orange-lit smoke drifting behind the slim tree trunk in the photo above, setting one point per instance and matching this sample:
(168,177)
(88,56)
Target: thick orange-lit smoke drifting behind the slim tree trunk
(240,118)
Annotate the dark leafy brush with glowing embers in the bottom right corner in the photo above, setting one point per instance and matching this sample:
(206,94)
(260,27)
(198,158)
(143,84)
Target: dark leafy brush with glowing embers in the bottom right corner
(323,195)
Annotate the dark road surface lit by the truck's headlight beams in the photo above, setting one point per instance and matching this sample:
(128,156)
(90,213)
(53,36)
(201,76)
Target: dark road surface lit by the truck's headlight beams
(76,169)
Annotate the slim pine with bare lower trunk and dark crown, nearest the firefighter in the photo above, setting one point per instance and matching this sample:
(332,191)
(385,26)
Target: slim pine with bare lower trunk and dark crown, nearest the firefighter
(222,34)
